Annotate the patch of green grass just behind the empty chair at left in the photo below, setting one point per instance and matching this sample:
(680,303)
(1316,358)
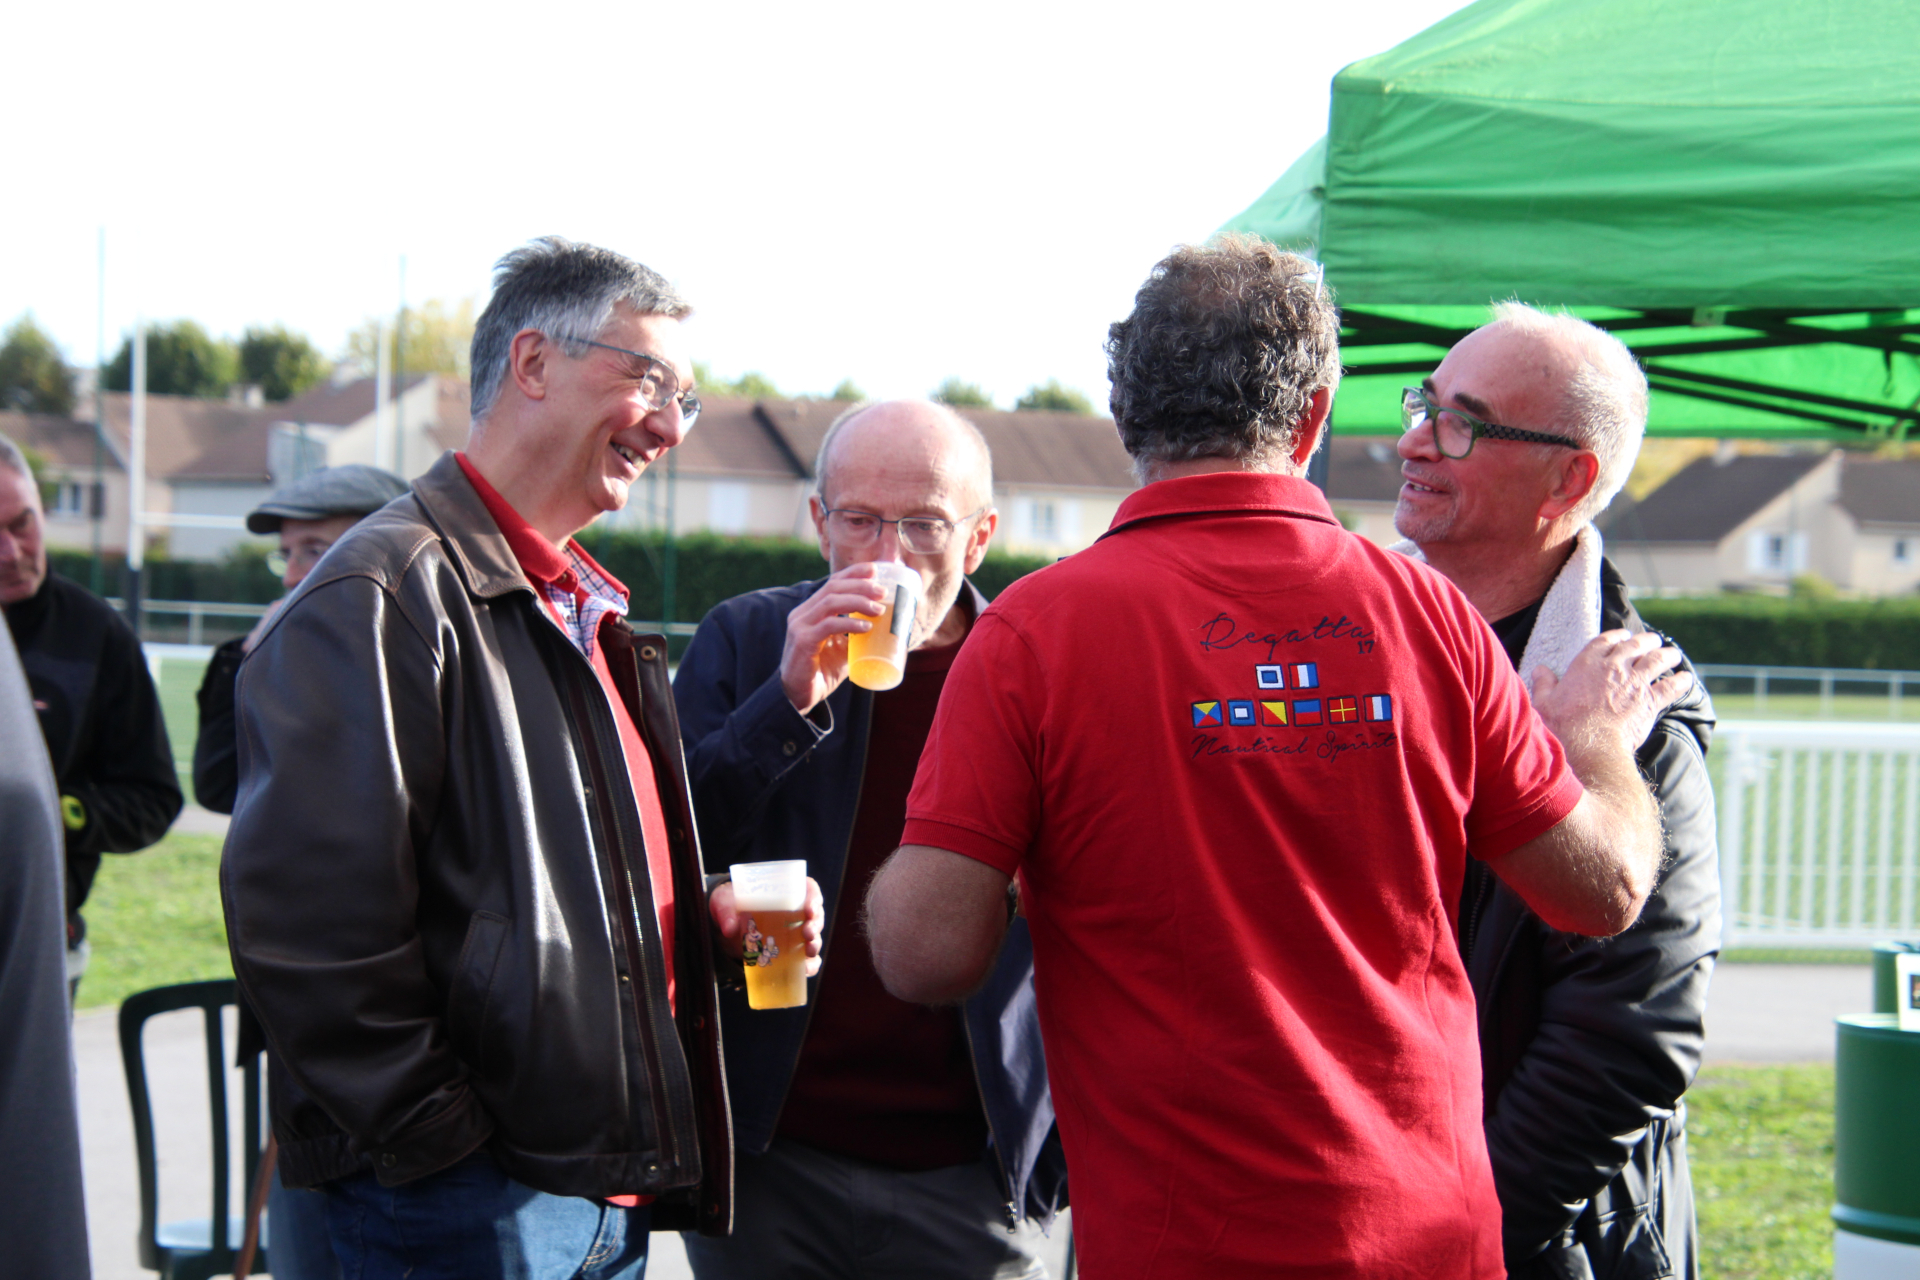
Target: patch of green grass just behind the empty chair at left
(155,920)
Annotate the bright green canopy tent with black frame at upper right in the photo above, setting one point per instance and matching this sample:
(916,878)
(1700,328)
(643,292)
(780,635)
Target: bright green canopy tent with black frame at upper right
(1733,187)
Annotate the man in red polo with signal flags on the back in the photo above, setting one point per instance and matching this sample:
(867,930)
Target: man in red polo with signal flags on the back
(1236,757)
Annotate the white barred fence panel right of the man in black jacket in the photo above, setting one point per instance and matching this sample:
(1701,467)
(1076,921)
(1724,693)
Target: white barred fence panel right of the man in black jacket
(1819,832)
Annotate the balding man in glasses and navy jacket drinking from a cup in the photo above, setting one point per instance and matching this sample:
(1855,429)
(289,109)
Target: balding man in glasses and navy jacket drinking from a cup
(876,1137)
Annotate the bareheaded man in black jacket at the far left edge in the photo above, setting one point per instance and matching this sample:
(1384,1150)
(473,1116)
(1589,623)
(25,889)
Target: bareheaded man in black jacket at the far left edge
(97,703)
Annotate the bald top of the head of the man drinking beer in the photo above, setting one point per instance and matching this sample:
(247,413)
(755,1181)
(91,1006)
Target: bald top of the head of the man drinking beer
(915,439)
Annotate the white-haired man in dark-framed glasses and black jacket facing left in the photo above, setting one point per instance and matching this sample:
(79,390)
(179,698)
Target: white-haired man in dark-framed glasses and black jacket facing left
(1514,444)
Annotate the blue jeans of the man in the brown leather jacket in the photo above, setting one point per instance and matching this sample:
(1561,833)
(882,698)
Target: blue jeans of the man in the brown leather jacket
(475,1223)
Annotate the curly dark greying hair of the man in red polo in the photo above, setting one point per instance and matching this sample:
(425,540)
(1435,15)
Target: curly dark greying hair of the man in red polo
(1222,354)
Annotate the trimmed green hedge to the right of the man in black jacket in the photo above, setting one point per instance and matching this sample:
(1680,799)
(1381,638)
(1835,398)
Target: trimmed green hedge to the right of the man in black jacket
(1764,630)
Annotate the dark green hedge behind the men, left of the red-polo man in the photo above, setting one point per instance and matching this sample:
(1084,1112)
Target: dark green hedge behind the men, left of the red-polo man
(708,571)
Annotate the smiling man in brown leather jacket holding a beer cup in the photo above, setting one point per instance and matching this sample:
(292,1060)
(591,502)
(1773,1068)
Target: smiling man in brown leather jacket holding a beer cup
(464,889)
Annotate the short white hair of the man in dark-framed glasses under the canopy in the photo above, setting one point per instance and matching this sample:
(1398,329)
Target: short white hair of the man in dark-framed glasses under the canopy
(1604,404)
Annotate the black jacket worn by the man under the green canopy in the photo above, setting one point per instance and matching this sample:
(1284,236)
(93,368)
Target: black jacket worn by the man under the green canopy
(1591,1043)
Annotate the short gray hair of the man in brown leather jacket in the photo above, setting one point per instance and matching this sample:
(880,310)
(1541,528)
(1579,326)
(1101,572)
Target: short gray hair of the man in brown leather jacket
(567,293)
